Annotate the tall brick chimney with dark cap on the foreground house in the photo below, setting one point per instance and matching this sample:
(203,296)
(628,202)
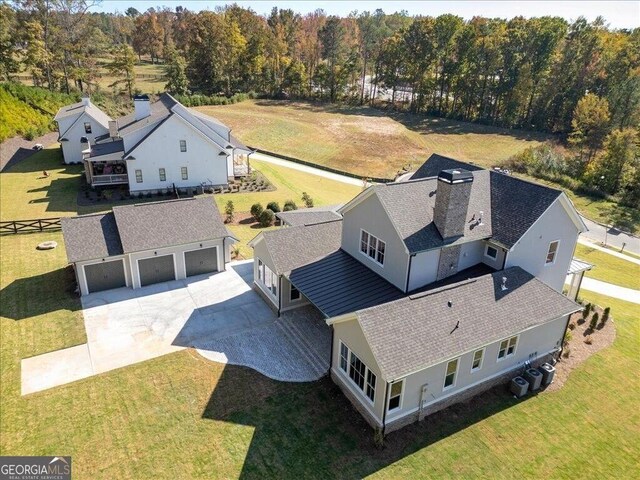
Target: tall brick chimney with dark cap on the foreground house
(452,201)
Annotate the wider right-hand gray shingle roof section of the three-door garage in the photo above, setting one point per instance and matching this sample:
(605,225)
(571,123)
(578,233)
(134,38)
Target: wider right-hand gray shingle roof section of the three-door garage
(146,226)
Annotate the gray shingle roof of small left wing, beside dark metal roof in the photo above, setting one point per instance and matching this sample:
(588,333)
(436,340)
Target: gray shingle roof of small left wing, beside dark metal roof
(294,247)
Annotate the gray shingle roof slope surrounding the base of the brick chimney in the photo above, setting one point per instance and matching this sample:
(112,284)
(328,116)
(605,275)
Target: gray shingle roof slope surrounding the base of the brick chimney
(410,208)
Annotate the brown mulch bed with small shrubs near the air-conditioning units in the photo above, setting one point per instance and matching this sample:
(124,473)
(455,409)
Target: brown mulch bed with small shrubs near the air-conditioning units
(579,351)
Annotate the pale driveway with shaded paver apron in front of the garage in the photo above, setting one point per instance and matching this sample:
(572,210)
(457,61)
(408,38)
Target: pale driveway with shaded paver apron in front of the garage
(218,314)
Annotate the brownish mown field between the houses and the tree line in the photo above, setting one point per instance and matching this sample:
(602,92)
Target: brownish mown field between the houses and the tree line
(363,140)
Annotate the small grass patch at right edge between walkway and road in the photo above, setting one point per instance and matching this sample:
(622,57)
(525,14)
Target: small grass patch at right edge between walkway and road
(610,269)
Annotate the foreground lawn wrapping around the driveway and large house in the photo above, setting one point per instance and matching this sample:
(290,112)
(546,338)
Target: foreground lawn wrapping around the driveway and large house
(180,416)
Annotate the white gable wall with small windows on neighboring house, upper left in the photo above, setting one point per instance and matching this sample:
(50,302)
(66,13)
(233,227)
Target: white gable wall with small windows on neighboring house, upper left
(162,150)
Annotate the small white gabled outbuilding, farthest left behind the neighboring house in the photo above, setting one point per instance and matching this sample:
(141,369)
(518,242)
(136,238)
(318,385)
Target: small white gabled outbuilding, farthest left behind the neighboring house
(79,124)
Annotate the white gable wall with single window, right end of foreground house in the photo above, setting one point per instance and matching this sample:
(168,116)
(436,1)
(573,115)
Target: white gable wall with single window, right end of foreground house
(530,252)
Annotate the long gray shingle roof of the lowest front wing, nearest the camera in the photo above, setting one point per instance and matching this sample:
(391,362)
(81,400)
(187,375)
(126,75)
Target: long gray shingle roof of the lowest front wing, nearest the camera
(418,331)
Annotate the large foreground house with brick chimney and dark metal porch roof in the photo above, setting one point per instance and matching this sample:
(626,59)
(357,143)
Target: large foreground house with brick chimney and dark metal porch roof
(436,288)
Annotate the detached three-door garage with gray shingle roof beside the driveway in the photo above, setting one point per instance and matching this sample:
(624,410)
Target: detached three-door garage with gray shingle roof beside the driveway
(138,245)
